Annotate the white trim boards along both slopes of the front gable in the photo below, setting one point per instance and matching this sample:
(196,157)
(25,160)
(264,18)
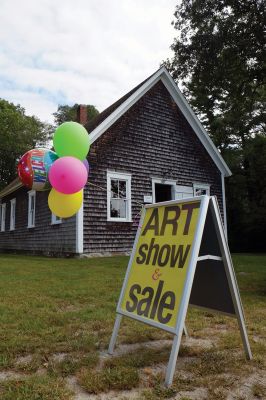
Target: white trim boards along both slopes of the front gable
(163,75)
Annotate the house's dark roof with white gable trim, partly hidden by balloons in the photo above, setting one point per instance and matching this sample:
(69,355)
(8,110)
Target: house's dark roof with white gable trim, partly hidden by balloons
(98,125)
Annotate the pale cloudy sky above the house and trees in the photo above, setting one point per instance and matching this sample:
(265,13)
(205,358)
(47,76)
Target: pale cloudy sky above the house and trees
(85,51)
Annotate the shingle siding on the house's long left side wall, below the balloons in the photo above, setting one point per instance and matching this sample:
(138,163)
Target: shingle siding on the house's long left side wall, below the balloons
(45,238)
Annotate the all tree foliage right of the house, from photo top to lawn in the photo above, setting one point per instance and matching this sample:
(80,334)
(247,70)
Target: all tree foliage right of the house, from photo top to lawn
(219,59)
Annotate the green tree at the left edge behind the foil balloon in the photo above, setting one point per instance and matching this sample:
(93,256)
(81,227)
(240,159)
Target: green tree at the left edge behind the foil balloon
(18,134)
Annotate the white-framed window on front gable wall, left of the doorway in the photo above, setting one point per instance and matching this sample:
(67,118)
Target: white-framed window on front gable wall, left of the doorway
(118,197)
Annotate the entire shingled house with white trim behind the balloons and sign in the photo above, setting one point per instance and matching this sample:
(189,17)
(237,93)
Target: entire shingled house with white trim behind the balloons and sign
(147,147)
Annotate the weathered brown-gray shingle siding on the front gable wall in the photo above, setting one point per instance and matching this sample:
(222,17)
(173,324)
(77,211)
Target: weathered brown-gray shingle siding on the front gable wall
(152,139)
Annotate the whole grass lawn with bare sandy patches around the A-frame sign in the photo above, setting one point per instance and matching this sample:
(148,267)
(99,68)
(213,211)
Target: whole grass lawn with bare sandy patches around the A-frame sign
(56,319)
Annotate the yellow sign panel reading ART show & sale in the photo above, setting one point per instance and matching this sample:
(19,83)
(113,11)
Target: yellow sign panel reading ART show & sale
(154,284)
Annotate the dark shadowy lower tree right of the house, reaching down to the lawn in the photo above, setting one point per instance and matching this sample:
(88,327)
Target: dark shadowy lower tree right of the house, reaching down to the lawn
(247,196)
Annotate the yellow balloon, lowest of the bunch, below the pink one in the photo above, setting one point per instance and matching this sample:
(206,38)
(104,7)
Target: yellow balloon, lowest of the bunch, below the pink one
(64,205)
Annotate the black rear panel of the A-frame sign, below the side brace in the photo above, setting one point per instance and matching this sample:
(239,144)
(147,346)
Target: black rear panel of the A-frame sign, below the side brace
(210,287)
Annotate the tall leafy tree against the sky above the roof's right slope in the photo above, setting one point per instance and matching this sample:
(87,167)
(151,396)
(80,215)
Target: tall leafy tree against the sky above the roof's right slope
(220,61)
